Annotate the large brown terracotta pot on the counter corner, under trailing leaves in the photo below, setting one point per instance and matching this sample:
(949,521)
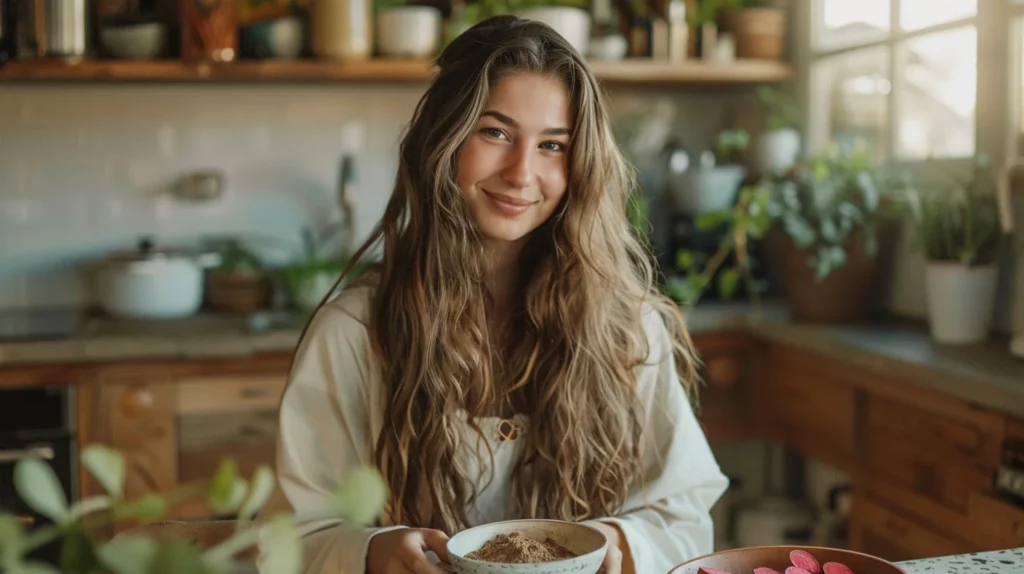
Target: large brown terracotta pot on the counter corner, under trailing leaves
(850,294)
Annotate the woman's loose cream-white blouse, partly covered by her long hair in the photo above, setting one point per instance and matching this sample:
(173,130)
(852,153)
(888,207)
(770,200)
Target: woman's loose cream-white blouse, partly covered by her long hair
(332,412)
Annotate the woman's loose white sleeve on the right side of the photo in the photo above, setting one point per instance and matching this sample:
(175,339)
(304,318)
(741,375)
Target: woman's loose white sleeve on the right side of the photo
(667,521)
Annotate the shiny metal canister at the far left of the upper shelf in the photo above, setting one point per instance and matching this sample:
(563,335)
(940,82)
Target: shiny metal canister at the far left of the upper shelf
(52,29)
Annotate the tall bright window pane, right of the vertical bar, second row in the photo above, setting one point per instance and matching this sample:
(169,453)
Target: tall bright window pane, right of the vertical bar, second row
(936,95)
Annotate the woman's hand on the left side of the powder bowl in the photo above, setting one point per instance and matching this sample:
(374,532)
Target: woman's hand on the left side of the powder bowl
(405,552)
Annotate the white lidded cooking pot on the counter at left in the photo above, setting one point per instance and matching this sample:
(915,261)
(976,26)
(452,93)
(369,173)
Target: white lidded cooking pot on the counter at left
(153,283)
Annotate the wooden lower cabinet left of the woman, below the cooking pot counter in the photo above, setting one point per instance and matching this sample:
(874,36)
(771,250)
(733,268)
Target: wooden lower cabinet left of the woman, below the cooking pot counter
(175,432)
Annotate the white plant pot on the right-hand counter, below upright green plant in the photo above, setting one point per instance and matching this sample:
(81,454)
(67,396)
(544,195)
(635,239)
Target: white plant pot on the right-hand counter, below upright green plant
(961,301)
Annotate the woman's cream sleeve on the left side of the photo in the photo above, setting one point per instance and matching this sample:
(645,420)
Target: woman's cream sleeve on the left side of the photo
(325,433)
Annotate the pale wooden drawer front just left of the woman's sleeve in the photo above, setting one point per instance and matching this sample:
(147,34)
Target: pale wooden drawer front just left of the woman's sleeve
(228,394)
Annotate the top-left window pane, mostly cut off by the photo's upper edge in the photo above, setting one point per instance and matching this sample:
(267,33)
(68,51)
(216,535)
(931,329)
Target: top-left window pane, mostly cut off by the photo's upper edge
(846,23)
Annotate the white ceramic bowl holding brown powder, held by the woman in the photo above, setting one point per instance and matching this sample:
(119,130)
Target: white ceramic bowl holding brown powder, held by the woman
(587,543)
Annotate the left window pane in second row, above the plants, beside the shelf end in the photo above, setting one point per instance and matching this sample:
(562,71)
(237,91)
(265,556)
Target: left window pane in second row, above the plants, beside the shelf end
(849,101)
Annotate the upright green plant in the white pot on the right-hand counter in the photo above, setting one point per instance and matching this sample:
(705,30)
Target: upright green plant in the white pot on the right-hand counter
(961,224)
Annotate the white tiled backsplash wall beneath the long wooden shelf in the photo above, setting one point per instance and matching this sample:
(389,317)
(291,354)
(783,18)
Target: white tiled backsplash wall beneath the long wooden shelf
(86,169)
